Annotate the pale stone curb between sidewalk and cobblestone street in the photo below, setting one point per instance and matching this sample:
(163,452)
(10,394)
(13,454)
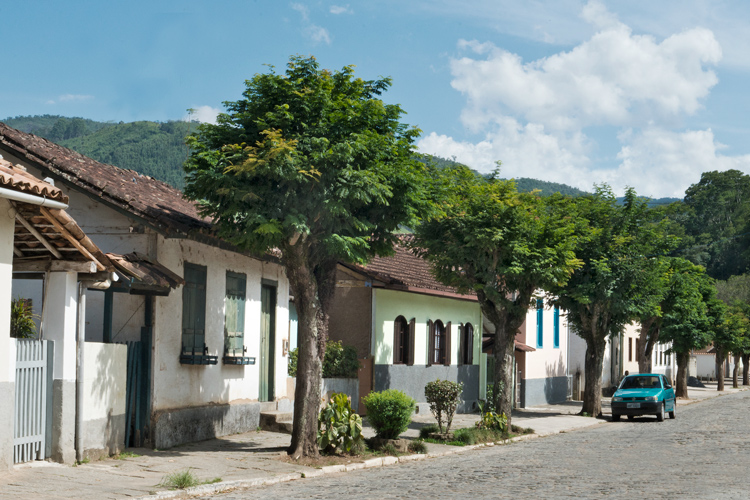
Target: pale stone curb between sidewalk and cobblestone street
(225,486)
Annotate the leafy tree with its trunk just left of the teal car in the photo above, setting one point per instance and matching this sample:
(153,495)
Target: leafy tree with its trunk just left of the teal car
(607,292)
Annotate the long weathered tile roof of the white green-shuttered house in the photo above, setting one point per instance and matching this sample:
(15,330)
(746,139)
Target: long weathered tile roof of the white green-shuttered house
(157,203)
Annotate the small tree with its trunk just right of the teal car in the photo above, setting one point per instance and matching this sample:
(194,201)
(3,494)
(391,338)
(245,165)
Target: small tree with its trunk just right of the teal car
(686,320)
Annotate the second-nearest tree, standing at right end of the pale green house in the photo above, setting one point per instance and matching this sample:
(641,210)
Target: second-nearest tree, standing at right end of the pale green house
(504,246)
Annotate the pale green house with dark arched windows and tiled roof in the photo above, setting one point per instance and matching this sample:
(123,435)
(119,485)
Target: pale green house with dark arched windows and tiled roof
(408,328)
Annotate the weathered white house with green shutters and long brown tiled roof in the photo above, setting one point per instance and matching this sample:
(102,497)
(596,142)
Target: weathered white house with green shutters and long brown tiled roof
(211,320)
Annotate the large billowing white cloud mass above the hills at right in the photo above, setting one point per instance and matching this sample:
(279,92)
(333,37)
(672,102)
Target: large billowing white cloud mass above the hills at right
(541,118)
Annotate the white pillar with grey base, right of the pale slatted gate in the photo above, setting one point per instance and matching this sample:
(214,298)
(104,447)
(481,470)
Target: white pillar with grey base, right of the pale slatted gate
(60,326)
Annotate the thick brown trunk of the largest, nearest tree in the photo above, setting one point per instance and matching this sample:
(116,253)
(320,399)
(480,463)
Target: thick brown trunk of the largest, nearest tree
(313,290)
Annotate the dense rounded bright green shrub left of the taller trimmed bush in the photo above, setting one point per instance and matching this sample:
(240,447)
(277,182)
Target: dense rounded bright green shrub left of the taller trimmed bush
(389,412)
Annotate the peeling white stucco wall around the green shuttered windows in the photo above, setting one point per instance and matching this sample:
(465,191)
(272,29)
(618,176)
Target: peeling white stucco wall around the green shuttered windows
(177,385)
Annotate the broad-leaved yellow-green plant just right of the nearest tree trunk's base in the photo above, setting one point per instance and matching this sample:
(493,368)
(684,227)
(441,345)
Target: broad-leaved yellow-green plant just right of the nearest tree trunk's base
(339,427)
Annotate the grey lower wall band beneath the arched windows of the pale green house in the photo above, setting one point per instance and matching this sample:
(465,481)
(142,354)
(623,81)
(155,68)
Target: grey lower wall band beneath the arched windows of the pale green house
(412,380)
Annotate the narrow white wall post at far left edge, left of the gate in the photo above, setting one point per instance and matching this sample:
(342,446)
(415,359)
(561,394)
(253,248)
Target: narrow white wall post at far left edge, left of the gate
(7,345)
